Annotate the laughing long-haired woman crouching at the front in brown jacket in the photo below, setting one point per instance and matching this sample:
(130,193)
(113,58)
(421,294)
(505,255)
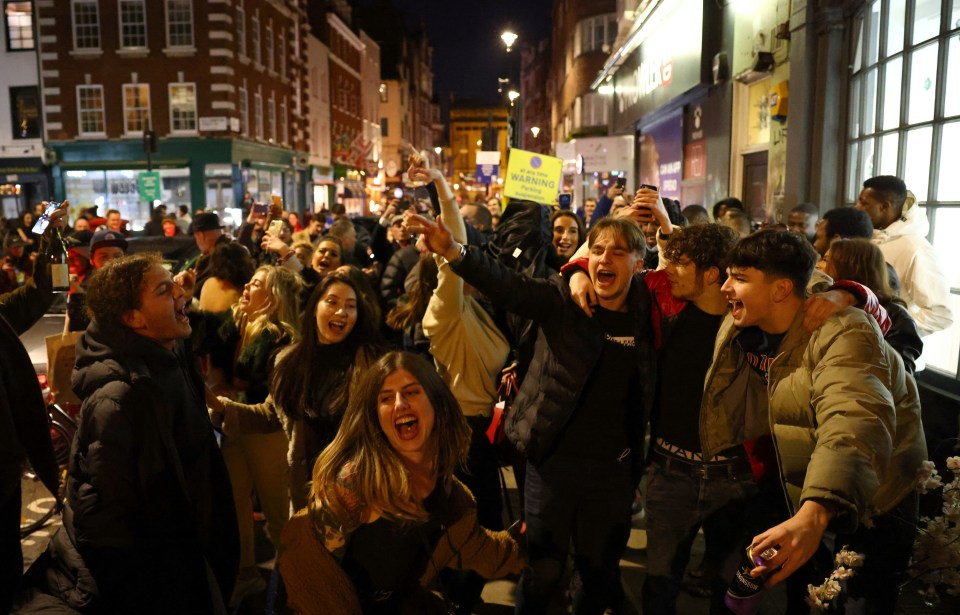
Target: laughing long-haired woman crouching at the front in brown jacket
(385,503)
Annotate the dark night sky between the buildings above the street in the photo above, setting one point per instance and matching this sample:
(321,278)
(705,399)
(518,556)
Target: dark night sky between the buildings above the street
(468,54)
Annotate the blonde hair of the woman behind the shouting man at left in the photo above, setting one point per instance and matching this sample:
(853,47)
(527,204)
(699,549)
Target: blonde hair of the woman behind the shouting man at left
(280,314)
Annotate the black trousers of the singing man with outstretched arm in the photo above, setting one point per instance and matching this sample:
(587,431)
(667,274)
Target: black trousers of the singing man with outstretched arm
(584,502)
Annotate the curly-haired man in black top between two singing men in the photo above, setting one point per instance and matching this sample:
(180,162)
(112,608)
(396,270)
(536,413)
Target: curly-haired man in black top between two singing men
(685,490)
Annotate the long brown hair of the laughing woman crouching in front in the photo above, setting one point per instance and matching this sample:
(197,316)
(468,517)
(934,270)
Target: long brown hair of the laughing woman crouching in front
(381,481)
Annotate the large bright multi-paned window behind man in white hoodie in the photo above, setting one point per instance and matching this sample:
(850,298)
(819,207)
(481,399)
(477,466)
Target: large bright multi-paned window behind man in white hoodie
(904,116)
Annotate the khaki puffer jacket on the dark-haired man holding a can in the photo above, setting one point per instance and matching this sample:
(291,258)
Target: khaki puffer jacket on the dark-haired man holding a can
(844,414)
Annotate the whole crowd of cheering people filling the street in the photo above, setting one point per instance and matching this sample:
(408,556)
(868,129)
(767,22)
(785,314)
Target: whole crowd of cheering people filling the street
(339,379)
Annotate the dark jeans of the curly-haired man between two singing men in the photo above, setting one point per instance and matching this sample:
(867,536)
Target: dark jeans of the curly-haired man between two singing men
(677,505)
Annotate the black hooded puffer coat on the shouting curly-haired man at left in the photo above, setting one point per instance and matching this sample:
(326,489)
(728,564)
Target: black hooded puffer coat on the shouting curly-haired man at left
(148,497)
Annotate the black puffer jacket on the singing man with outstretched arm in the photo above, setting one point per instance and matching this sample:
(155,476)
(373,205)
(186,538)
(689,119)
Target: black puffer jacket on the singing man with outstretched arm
(567,349)
